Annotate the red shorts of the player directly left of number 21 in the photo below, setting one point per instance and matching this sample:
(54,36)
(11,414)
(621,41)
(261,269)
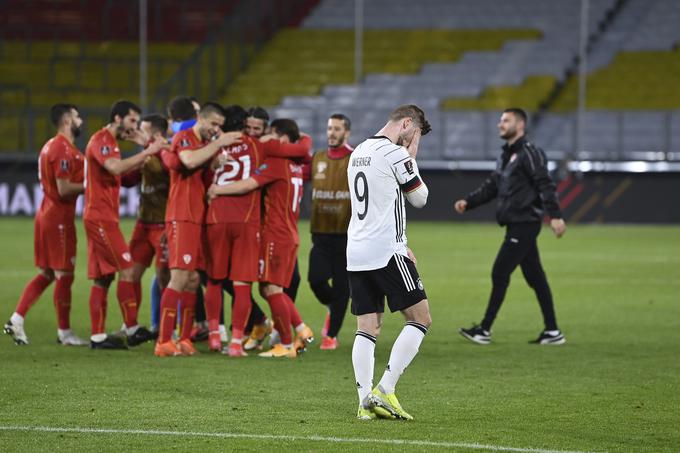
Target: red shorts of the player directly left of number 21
(184,245)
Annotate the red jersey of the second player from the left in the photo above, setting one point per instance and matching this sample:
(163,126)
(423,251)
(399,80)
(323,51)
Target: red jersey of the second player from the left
(101,187)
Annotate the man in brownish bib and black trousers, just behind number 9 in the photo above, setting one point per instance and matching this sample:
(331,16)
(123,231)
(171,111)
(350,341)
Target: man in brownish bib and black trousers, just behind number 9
(331,211)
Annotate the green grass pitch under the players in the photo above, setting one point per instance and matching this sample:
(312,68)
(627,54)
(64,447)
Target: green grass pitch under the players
(615,385)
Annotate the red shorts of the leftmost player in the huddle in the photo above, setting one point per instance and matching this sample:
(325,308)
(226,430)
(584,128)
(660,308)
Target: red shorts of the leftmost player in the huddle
(54,245)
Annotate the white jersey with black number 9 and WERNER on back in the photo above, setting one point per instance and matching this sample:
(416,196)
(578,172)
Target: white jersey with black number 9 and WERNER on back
(379,173)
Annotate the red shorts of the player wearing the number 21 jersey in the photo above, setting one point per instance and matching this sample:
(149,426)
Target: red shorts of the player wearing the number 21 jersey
(232,251)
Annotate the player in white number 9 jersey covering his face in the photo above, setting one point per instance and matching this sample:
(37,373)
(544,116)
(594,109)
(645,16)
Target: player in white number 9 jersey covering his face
(381,173)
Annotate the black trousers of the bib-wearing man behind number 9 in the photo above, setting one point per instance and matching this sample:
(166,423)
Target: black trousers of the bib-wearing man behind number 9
(328,262)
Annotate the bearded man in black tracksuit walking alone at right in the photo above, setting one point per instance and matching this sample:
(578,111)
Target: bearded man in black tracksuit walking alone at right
(524,190)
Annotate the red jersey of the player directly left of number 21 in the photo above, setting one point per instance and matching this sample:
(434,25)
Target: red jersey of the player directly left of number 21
(186,200)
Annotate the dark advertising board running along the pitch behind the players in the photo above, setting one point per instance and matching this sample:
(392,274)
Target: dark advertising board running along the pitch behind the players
(590,192)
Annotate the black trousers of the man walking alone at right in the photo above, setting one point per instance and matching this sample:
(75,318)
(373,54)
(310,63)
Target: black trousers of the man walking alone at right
(520,249)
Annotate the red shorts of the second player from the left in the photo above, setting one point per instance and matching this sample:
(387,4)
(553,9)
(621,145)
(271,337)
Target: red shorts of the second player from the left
(107,251)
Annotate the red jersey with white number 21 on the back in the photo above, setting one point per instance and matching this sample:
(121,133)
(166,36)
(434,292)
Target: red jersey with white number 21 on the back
(247,156)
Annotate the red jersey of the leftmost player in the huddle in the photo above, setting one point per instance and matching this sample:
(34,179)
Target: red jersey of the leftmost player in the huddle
(59,159)
